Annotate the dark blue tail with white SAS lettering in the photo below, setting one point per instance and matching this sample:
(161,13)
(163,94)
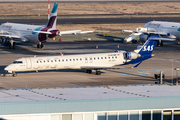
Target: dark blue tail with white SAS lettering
(145,51)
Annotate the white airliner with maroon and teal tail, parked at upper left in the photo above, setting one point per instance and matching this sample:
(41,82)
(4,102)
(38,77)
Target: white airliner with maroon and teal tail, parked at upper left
(39,34)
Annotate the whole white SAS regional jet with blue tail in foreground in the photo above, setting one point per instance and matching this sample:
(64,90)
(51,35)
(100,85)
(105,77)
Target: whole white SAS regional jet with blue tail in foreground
(89,62)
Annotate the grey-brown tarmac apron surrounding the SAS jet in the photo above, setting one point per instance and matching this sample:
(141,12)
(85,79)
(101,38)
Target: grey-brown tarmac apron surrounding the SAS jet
(166,59)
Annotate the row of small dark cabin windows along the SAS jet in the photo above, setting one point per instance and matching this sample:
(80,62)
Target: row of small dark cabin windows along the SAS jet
(63,60)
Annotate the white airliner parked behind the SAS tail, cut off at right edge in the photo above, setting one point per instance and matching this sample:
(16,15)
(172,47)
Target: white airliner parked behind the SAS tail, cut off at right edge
(168,31)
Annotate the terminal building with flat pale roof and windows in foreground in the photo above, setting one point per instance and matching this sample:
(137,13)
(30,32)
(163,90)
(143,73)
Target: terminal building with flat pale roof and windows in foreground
(131,102)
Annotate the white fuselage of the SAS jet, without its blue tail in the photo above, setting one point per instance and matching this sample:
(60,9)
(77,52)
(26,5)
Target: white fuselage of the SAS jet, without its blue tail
(66,62)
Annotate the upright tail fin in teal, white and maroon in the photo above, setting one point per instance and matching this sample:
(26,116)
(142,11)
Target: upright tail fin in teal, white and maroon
(53,17)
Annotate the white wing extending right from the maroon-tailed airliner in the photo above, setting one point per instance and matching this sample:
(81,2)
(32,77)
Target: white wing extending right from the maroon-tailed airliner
(75,32)
